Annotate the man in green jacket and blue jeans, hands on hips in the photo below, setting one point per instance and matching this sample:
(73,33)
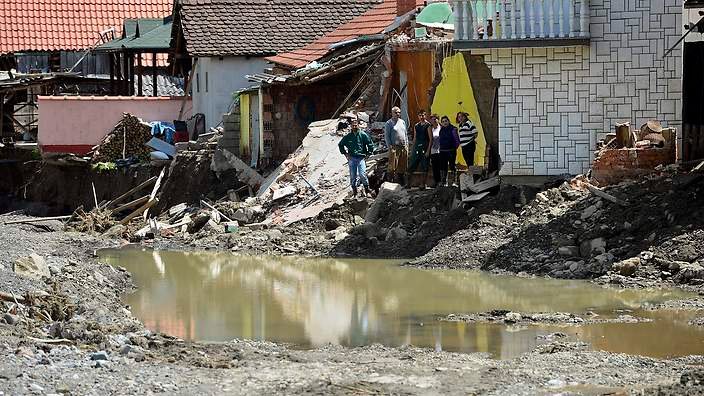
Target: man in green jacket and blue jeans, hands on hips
(356,146)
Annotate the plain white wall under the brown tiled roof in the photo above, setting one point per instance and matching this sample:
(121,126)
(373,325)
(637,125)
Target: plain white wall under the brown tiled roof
(224,77)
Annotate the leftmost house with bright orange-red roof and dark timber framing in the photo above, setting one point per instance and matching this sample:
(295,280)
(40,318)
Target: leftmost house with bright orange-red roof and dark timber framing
(40,40)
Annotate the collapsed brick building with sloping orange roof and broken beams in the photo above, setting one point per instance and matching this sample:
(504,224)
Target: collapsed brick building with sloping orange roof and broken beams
(318,81)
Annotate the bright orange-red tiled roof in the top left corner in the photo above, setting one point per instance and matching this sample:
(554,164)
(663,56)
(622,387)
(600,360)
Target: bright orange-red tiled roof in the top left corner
(53,25)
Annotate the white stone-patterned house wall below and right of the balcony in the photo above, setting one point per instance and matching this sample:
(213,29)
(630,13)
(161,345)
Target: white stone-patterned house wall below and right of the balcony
(555,103)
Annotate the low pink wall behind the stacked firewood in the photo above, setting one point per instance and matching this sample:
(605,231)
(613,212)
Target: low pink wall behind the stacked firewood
(77,123)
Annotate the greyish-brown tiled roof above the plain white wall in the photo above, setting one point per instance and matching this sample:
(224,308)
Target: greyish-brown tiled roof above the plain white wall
(261,27)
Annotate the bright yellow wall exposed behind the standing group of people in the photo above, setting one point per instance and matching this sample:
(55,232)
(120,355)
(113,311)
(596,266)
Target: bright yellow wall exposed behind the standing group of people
(455,94)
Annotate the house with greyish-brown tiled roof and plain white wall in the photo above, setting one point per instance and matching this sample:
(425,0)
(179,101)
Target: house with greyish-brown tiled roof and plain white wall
(219,42)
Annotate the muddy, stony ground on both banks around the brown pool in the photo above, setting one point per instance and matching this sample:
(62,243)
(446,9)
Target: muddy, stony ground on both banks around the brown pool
(72,335)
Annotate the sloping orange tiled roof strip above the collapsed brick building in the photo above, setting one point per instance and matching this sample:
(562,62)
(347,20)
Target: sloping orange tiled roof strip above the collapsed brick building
(374,21)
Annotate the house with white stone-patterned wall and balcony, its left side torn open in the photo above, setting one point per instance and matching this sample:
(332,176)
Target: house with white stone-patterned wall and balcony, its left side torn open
(567,71)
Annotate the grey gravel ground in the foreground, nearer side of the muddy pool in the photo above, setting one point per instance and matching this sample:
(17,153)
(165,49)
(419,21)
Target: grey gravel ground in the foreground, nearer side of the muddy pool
(103,349)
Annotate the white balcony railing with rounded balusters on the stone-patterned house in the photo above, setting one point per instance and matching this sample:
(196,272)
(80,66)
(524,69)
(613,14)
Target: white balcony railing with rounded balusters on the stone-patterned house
(520,22)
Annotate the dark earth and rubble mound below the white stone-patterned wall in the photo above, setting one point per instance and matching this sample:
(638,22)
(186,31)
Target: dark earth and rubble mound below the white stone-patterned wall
(648,228)
